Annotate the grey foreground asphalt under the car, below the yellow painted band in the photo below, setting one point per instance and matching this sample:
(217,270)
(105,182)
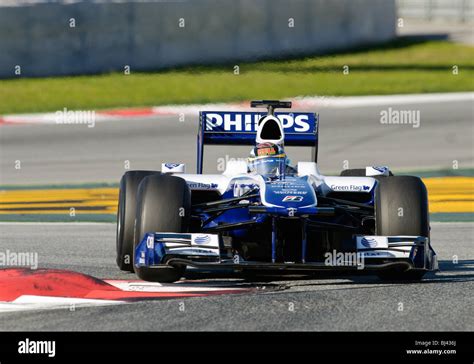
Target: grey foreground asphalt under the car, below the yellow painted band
(443,301)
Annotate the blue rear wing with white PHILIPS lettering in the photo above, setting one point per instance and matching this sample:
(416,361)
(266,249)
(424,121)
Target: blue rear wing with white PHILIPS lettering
(239,128)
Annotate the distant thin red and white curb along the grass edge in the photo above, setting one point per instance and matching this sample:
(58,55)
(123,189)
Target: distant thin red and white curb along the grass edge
(302,103)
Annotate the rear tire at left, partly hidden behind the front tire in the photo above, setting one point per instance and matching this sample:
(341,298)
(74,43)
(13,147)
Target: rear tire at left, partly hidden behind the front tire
(126,217)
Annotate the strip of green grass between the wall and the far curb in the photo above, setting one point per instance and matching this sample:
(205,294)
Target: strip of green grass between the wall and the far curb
(399,67)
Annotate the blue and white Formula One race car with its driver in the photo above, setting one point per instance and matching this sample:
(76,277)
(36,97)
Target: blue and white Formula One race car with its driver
(264,214)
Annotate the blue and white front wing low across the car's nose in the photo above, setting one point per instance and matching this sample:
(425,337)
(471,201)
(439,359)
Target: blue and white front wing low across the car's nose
(205,251)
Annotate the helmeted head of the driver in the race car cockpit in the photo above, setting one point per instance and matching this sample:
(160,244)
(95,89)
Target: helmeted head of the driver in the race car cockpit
(267,159)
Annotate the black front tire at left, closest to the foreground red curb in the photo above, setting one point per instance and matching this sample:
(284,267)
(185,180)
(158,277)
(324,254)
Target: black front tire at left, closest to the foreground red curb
(163,204)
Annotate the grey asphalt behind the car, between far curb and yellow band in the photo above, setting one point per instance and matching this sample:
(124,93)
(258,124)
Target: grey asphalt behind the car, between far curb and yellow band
(76,153)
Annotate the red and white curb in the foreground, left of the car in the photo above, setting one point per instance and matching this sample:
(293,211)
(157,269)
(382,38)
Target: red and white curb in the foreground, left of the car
(45,289)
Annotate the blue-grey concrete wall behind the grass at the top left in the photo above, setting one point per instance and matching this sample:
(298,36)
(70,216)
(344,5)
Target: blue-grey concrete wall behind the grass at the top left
(146,35)
